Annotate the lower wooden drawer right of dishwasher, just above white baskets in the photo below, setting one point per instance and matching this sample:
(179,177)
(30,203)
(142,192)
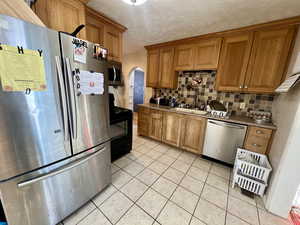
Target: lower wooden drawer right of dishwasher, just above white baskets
(257,144)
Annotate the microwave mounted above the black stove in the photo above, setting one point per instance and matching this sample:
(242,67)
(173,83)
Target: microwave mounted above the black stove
(115,73)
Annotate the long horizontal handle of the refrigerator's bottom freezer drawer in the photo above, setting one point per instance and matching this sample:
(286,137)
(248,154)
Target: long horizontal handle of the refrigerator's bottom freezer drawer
(60,170)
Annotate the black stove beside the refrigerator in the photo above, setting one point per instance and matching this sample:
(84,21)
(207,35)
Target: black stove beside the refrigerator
(121,129)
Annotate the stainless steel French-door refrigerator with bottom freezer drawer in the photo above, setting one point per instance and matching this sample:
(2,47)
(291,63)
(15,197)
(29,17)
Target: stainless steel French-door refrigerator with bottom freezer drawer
(54,144)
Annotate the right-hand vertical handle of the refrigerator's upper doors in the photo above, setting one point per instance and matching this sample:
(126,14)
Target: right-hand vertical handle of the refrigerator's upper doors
(72,98)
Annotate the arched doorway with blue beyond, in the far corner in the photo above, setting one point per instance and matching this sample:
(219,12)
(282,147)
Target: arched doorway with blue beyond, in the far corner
(136,86)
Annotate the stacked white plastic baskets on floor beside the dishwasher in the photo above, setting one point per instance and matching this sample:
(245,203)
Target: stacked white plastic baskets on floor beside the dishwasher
(251,171)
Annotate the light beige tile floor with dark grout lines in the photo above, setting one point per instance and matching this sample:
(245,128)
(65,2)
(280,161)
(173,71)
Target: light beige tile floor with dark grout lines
(160,185)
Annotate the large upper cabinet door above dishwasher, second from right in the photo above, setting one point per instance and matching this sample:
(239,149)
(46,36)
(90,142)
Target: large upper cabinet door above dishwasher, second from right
(233,63)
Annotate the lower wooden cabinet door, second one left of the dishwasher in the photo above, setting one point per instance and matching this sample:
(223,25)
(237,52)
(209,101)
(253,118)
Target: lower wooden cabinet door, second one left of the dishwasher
(171,128)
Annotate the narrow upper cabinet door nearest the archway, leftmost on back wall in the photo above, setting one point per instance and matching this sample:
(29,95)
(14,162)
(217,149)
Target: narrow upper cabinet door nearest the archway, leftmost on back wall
(153,68)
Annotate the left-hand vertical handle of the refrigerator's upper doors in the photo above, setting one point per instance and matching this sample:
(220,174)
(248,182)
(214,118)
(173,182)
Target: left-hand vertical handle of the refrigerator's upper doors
(63,96)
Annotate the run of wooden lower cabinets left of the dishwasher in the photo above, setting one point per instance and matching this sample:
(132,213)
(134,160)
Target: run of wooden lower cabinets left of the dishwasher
(179,130)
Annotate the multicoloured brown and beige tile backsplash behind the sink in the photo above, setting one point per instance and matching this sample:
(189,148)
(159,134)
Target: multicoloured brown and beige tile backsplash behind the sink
(206,91)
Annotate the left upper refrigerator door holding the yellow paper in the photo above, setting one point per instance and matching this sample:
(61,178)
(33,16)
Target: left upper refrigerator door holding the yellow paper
(33,127)
